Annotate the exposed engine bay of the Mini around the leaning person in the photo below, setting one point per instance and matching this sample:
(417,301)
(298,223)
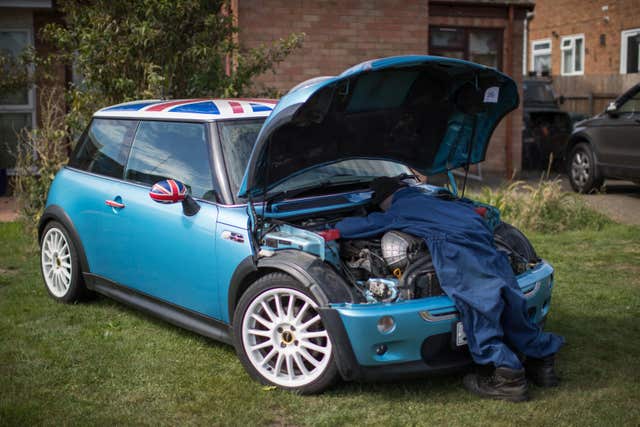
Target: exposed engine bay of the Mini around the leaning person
(394,266)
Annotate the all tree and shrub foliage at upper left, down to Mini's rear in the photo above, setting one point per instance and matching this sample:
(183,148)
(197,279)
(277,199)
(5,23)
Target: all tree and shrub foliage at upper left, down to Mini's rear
(126,50)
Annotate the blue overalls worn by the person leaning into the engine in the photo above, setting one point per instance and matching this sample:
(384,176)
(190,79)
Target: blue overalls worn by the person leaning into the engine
(471,271)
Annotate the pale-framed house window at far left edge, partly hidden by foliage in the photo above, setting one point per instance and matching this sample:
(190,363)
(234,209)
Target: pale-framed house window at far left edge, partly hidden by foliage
(16,108)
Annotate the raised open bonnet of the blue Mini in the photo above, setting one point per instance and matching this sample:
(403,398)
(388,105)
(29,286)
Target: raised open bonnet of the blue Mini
(429,113)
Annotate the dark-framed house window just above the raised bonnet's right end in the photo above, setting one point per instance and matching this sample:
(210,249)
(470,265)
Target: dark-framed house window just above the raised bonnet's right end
(473,44)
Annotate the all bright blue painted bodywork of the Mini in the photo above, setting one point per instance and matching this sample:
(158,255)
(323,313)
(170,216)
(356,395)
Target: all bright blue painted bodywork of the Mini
(155,249)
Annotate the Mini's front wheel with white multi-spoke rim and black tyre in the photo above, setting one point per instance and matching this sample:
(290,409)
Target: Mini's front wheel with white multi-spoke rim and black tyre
(280,338)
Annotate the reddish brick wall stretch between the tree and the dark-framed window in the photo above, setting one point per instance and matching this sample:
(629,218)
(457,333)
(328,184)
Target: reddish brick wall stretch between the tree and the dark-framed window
(339,33)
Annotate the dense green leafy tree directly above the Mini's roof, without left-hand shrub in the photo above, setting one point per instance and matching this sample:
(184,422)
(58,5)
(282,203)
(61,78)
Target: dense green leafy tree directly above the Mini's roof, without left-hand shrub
(126,50)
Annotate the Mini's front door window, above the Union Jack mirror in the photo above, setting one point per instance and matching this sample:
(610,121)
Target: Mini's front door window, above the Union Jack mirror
(172,150)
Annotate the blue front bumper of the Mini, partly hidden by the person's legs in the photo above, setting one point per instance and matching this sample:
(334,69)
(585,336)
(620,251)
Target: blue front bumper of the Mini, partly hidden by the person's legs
(422,340)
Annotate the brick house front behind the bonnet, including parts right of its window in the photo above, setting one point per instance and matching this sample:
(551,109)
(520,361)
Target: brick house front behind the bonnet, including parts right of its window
(343,33)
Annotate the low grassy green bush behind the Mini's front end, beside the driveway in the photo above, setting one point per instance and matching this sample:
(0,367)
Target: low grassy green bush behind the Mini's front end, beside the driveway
(543,207)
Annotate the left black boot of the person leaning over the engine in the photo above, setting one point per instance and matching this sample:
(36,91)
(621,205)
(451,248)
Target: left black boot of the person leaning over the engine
(503,383)
